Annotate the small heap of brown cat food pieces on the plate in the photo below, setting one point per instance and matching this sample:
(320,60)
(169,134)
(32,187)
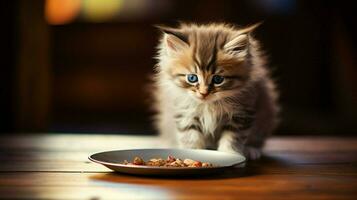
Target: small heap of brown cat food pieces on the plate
(169,162)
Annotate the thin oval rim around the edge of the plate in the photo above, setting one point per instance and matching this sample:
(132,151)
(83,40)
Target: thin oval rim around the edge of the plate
(244,159)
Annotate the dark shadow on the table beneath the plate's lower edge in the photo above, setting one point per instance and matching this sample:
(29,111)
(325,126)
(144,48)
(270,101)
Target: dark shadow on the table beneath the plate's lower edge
(252,168)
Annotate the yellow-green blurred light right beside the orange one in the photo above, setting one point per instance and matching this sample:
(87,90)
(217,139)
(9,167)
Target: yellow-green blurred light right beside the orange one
(100,10)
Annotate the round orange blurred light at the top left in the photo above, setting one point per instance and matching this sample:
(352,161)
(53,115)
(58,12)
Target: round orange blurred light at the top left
(62,11)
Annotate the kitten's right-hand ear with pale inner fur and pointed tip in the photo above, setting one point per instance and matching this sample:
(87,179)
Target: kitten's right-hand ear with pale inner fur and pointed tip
(239,42)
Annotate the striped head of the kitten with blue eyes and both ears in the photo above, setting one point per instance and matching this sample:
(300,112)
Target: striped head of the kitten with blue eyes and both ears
(209,62)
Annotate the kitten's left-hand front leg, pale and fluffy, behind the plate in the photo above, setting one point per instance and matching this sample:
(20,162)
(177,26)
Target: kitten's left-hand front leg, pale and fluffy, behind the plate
(191,138)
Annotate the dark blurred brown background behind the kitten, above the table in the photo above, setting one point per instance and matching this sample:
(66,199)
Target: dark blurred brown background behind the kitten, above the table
(81,66)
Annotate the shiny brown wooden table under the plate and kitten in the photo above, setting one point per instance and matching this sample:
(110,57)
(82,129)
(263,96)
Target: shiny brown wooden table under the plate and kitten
(55,166)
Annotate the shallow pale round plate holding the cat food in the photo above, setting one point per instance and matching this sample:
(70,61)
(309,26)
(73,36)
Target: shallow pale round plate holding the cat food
(220,160)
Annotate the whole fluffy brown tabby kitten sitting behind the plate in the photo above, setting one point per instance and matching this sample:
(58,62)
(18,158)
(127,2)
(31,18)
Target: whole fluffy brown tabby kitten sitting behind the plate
(213,90)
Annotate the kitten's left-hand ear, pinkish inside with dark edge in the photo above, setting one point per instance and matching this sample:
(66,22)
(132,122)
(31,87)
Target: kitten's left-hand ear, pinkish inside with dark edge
(174,39)
